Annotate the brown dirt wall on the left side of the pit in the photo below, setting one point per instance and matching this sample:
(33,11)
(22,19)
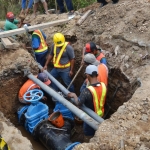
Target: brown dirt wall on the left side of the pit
(13,63)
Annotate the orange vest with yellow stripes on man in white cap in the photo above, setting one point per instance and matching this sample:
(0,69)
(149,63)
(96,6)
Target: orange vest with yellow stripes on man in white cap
(99,95)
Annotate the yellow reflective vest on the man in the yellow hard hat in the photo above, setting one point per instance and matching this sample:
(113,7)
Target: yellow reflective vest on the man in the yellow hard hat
(56,59)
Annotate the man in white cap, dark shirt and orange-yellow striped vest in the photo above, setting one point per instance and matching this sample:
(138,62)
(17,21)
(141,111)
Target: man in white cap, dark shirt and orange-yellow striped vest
(92,97)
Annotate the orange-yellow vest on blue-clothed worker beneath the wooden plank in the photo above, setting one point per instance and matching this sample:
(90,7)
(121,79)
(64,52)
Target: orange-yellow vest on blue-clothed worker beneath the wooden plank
(43,46)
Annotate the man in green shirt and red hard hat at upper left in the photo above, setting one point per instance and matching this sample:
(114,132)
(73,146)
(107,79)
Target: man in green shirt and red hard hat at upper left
(12,23)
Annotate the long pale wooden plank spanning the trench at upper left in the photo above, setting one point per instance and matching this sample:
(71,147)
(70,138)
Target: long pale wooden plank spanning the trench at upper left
(32,28)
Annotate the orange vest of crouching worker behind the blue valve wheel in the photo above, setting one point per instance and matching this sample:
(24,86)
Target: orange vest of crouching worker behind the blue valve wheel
(28,85)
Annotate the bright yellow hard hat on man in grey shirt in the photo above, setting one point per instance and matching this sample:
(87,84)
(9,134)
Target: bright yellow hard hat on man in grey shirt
(59,39)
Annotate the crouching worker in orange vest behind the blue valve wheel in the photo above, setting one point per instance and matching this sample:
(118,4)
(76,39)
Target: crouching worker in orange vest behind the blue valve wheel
(30,85)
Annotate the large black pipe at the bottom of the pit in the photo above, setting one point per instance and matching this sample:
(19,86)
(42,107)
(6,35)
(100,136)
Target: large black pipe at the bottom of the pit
(54,138)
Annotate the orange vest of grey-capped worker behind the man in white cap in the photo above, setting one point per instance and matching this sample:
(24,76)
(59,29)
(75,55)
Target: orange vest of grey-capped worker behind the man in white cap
(102,73)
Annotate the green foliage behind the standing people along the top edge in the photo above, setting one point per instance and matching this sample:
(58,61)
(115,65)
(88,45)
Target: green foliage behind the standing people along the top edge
(15,6)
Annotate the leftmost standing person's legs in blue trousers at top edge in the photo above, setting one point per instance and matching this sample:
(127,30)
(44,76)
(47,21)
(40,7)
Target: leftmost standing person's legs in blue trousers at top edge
(25,10)
